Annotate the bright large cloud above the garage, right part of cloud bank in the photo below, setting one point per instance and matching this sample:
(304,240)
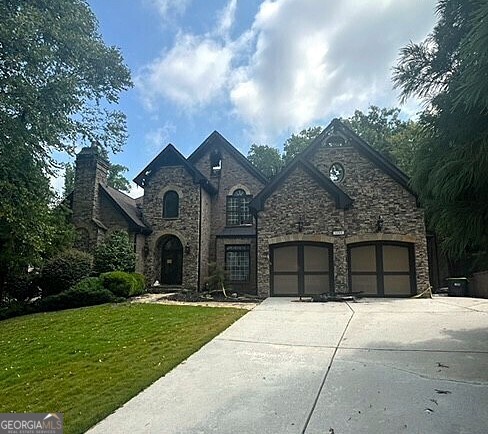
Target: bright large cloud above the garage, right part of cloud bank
(320,58)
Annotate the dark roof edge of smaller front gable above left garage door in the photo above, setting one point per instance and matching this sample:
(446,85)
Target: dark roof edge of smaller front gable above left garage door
(342,199)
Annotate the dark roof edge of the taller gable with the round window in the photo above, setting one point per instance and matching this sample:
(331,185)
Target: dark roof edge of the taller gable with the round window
(336,126)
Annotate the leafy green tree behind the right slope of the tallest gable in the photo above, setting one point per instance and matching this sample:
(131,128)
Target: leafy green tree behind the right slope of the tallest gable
(383,129)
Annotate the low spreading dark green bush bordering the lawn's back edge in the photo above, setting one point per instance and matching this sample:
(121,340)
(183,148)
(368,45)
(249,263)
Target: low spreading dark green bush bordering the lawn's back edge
(87,292)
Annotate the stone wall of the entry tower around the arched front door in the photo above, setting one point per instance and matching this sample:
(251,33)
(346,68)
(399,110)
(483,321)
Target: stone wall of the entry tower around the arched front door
(185,227)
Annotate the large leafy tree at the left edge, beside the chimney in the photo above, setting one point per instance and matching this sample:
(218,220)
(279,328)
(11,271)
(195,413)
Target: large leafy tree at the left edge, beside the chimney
(58,81)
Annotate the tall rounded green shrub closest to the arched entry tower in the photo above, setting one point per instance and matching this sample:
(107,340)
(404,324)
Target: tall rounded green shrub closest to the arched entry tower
(115,253)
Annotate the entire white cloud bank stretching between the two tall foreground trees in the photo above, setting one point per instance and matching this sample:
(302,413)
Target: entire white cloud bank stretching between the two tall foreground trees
(301,62)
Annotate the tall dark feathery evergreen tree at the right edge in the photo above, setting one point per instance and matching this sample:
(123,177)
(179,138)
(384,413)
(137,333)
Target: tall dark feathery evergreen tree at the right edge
(452,163)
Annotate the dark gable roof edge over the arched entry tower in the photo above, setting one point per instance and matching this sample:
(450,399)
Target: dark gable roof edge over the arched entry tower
(170,156)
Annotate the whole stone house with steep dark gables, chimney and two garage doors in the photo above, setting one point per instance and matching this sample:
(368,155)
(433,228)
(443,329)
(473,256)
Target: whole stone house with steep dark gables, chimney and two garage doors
(339,217)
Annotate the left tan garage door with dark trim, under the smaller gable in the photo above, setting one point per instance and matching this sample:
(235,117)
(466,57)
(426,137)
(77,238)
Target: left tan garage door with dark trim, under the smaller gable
(301,269)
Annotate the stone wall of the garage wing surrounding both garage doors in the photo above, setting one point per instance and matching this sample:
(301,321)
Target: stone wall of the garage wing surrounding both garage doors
(374,193)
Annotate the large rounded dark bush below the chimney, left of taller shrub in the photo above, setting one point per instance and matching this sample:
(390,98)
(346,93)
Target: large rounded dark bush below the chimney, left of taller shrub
(65,270)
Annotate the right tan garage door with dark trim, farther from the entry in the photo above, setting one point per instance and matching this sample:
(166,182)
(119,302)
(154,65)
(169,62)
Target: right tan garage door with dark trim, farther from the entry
(382,269)
